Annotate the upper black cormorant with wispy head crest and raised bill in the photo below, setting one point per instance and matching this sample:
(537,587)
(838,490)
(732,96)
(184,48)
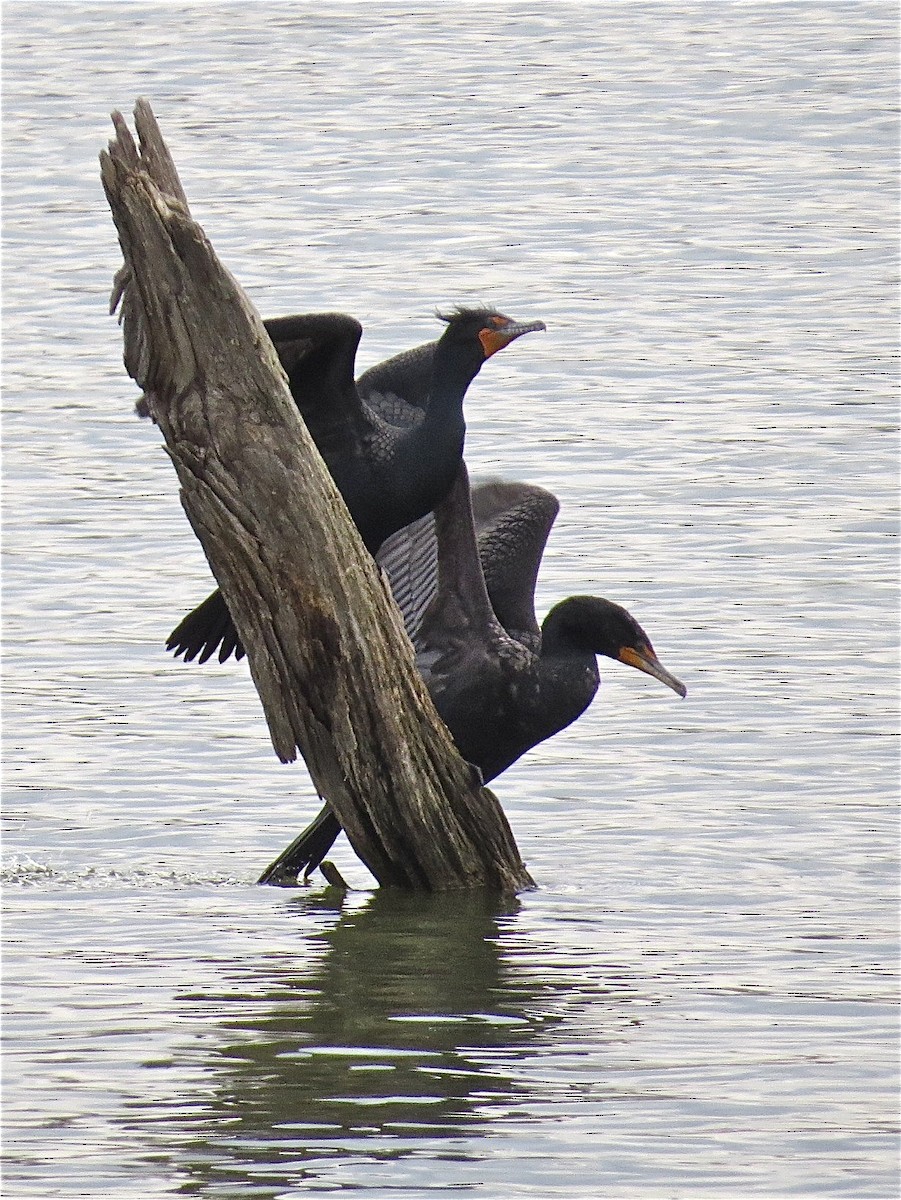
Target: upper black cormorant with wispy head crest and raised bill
(392,441)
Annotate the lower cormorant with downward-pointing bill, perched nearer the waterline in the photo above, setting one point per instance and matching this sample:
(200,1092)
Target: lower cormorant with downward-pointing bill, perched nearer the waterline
(500,683)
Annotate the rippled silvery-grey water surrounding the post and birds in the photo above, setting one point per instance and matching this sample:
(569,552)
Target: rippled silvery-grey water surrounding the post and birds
(700,998)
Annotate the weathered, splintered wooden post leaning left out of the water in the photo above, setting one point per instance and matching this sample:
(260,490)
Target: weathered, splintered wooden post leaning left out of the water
(325,641)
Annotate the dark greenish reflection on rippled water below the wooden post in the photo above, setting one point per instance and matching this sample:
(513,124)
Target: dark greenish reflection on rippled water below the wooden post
(407,1025)
